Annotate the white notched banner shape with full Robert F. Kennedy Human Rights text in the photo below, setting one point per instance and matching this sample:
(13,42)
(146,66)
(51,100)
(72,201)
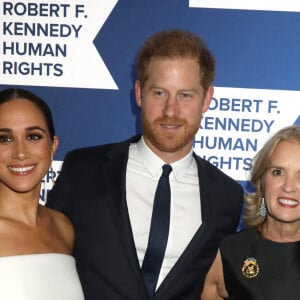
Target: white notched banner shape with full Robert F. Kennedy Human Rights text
(51,44)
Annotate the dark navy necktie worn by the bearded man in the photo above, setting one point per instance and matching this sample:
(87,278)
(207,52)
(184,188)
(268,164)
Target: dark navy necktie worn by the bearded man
(159,232)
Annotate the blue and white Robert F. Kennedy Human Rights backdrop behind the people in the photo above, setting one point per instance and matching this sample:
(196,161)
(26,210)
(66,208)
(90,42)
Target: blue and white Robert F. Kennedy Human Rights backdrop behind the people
(79,57)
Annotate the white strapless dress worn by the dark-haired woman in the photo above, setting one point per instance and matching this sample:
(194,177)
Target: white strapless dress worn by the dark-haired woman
(50,276)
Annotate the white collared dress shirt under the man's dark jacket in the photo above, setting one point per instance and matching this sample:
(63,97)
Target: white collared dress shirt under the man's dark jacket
(143,172)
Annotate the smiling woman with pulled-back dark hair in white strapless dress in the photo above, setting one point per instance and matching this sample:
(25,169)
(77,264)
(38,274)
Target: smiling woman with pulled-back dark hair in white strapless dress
(36,242)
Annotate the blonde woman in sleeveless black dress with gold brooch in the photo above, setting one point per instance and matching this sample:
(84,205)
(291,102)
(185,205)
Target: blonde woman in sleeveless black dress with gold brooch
(262,262)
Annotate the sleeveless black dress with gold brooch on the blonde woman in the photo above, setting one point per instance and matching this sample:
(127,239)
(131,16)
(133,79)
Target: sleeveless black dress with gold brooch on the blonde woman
(259,269)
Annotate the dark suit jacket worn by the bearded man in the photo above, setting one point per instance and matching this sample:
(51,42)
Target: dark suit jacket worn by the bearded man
(91,192)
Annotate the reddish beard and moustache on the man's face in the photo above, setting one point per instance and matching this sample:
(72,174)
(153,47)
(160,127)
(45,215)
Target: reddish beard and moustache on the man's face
(171,141)
